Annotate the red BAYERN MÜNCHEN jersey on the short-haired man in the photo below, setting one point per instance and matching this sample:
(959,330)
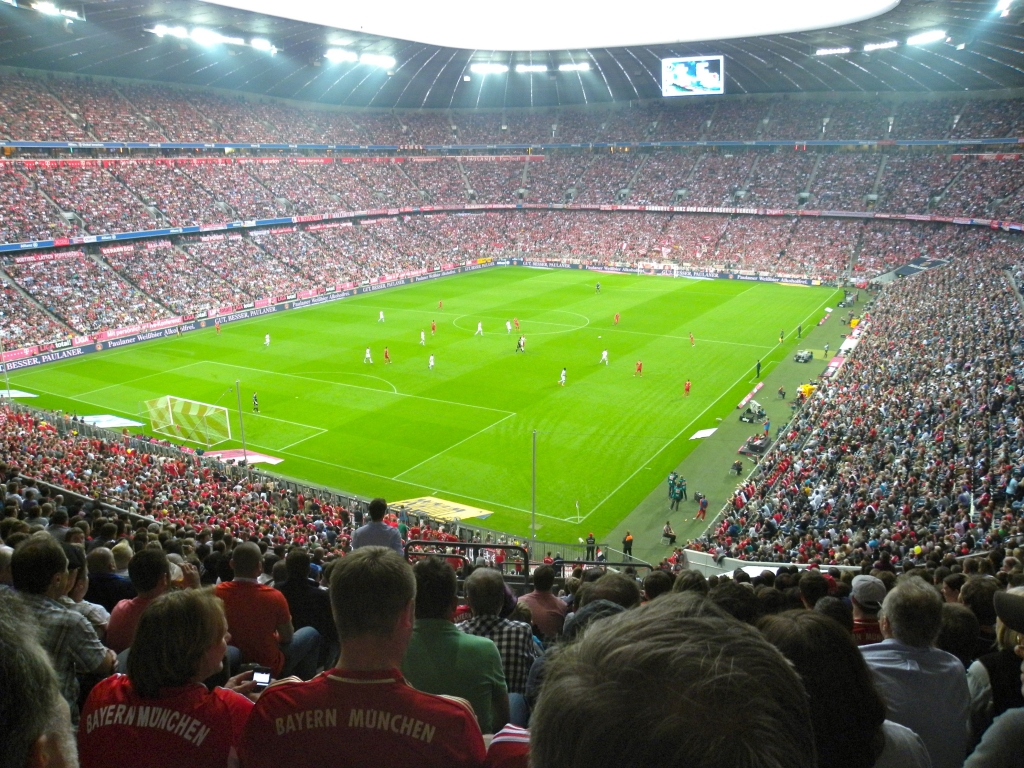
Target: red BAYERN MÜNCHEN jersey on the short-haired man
(357,719)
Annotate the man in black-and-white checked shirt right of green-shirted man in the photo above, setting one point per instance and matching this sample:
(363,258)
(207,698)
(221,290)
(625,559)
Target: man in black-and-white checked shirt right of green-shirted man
(486,594)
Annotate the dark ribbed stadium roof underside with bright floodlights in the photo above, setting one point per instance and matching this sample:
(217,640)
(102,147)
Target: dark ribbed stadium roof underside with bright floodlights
(983,49)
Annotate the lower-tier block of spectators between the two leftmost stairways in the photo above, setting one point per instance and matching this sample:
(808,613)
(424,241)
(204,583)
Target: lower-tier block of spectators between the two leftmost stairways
(84,295)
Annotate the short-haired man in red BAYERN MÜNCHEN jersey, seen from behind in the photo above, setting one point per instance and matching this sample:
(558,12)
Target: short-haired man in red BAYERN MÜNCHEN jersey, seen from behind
(363,714)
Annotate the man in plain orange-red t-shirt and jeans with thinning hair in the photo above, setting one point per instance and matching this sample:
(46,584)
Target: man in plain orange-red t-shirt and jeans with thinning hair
(261,623)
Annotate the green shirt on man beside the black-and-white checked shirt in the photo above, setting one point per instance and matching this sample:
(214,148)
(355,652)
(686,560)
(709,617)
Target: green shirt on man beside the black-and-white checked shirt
(444,661)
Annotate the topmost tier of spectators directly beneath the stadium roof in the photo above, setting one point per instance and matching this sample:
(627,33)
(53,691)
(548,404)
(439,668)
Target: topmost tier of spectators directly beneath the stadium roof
(80,109)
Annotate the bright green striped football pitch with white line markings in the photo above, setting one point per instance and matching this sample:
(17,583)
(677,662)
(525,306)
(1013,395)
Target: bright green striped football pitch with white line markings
(463,432)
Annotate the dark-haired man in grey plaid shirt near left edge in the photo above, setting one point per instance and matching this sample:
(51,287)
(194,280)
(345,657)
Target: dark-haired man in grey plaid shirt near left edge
(39,568)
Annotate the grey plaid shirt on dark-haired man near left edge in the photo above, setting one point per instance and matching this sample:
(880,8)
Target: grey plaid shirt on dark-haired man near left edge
(71,642)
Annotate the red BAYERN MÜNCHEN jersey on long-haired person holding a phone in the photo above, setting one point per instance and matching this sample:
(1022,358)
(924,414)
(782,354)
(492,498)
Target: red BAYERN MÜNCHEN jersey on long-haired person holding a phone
(188,727)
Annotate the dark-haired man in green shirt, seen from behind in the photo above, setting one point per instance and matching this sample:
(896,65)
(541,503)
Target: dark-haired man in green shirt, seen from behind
(444,661)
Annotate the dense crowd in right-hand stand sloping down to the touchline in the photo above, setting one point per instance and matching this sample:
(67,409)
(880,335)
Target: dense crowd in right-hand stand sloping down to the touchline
(913,450)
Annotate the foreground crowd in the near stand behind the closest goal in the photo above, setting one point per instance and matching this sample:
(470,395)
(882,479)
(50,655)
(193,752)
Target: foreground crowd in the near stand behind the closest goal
(170,608)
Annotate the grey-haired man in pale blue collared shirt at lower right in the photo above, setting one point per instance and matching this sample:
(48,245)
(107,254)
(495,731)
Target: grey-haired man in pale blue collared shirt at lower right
(925,689)
